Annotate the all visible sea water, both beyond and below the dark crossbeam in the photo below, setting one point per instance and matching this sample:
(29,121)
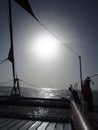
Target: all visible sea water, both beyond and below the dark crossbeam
(41,112)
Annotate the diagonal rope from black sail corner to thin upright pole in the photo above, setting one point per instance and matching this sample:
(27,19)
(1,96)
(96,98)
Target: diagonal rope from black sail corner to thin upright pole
(65,44)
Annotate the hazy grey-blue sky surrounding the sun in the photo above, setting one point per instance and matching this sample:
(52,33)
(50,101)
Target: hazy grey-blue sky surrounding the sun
(74,21)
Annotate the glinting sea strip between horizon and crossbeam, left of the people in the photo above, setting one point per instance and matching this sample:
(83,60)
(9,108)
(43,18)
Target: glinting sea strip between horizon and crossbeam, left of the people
(33,92)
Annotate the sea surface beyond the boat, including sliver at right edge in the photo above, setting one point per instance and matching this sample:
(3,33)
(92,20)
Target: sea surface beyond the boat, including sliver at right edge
(49,93)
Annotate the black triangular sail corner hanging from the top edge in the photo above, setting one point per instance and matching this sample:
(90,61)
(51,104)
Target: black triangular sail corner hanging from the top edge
(25,4)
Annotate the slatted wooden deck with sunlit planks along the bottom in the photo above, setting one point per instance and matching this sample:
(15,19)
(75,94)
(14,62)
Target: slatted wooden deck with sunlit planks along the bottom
(17,124)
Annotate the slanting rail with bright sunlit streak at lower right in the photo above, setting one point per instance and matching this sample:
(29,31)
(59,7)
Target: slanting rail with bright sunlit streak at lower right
(80,118)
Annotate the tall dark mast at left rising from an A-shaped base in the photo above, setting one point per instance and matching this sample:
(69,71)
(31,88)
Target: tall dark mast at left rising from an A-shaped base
(16,89)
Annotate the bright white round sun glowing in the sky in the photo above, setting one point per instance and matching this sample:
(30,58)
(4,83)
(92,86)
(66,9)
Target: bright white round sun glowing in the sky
(45,46)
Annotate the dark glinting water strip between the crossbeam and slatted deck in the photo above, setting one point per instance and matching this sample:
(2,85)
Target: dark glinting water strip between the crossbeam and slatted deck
(34,112)
